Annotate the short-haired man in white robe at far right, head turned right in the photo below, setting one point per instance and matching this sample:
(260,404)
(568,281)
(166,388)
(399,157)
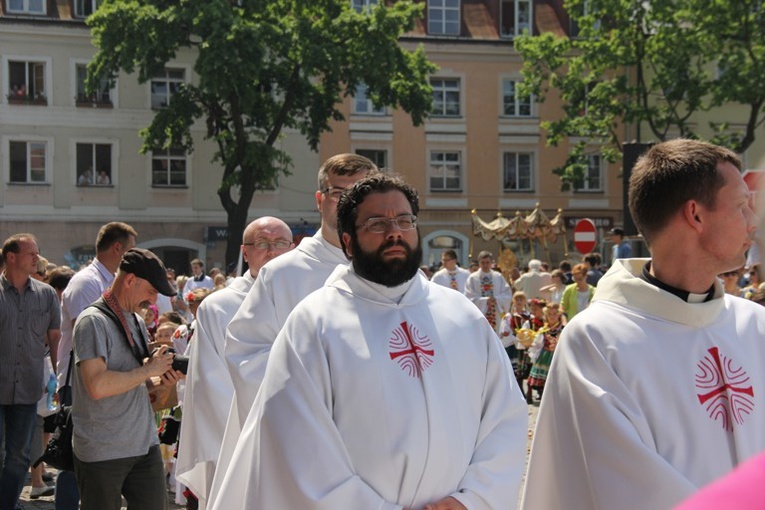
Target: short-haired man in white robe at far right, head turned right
(656,389)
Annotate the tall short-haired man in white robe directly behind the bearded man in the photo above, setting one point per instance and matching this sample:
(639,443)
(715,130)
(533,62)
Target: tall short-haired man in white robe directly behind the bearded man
(280,286)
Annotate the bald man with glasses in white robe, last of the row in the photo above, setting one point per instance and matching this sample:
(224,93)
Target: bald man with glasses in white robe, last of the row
(209,391)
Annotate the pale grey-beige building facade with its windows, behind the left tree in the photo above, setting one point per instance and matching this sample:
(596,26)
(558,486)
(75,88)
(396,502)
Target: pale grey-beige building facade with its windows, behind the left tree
(71,162)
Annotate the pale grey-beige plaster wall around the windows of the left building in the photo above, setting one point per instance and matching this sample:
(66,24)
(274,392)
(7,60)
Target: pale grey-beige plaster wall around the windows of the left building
(65,216)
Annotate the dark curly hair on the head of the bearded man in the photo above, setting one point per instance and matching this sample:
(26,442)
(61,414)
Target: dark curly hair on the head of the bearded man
(348,205)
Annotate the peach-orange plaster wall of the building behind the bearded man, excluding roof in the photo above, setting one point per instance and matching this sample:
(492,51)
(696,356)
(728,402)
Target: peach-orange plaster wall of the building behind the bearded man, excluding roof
(481,134)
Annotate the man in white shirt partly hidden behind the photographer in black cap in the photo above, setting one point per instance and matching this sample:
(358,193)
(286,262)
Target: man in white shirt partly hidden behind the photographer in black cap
(85,287)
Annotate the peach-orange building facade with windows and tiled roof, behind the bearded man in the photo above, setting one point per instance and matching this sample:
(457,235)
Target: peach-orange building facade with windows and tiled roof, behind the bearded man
(482,148)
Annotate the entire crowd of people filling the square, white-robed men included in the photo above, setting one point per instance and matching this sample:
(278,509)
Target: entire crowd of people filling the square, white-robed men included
(337,374)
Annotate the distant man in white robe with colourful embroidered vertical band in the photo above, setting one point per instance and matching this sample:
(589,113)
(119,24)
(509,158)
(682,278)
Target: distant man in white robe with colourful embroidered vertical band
(489,290)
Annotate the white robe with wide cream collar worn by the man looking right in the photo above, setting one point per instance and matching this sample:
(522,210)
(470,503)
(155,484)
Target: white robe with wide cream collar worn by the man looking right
(648,399)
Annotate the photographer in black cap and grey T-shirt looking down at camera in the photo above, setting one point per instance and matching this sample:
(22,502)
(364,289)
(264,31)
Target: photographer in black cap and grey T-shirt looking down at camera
(115,438)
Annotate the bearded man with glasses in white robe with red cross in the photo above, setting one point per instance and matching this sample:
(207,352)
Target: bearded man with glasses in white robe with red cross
(383,390)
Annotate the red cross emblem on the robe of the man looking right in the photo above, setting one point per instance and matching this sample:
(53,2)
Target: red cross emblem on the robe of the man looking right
(724,389)
